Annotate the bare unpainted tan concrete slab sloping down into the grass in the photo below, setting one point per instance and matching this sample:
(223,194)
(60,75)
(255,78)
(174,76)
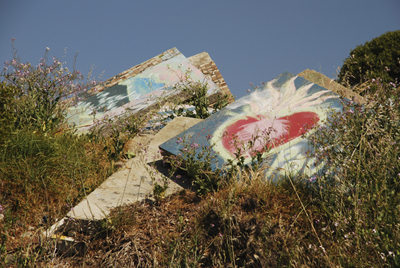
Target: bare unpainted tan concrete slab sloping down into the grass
(134,181)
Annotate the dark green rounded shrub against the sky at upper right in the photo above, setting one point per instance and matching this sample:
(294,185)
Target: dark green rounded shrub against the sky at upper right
(379,57)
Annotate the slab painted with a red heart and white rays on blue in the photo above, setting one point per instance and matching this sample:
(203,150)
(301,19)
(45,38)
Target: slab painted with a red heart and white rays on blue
(278,113)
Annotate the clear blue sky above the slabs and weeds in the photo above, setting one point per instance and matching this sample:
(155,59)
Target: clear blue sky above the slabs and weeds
(250,41)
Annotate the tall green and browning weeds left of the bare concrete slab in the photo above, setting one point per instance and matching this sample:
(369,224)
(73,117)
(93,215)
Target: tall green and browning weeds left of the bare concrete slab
(44,168)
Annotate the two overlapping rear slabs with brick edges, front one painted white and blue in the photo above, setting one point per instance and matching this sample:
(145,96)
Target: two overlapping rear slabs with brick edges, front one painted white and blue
(140,88)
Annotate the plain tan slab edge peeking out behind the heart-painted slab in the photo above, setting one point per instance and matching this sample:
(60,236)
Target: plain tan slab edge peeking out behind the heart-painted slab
(326,82)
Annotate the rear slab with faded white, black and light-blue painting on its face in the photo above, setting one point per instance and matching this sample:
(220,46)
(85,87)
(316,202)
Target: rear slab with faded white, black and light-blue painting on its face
(138,89)
